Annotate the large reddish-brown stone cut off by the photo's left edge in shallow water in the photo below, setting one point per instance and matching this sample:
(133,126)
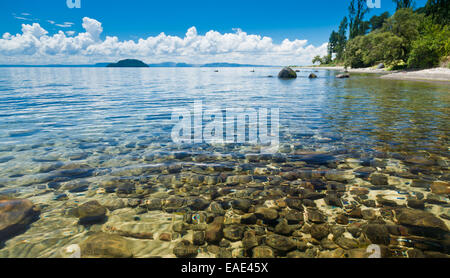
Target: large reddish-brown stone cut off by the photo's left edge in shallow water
(15,216)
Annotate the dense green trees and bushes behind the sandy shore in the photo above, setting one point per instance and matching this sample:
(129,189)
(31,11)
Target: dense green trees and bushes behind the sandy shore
(410,38)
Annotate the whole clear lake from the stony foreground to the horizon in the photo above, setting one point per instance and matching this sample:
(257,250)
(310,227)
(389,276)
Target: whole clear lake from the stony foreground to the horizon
(365,155)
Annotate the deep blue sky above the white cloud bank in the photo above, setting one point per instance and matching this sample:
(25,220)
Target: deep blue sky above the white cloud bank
(131,20)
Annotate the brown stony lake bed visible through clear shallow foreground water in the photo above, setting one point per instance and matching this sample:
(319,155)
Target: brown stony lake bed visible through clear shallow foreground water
(298,204)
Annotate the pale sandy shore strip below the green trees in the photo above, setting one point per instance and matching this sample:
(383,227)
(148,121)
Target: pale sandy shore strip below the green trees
(431,75)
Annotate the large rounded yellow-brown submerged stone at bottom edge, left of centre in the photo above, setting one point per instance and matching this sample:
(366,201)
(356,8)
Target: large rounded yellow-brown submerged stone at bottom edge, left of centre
(104,245)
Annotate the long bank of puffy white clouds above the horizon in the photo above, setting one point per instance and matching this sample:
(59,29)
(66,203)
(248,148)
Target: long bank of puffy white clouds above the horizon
(36,46)
